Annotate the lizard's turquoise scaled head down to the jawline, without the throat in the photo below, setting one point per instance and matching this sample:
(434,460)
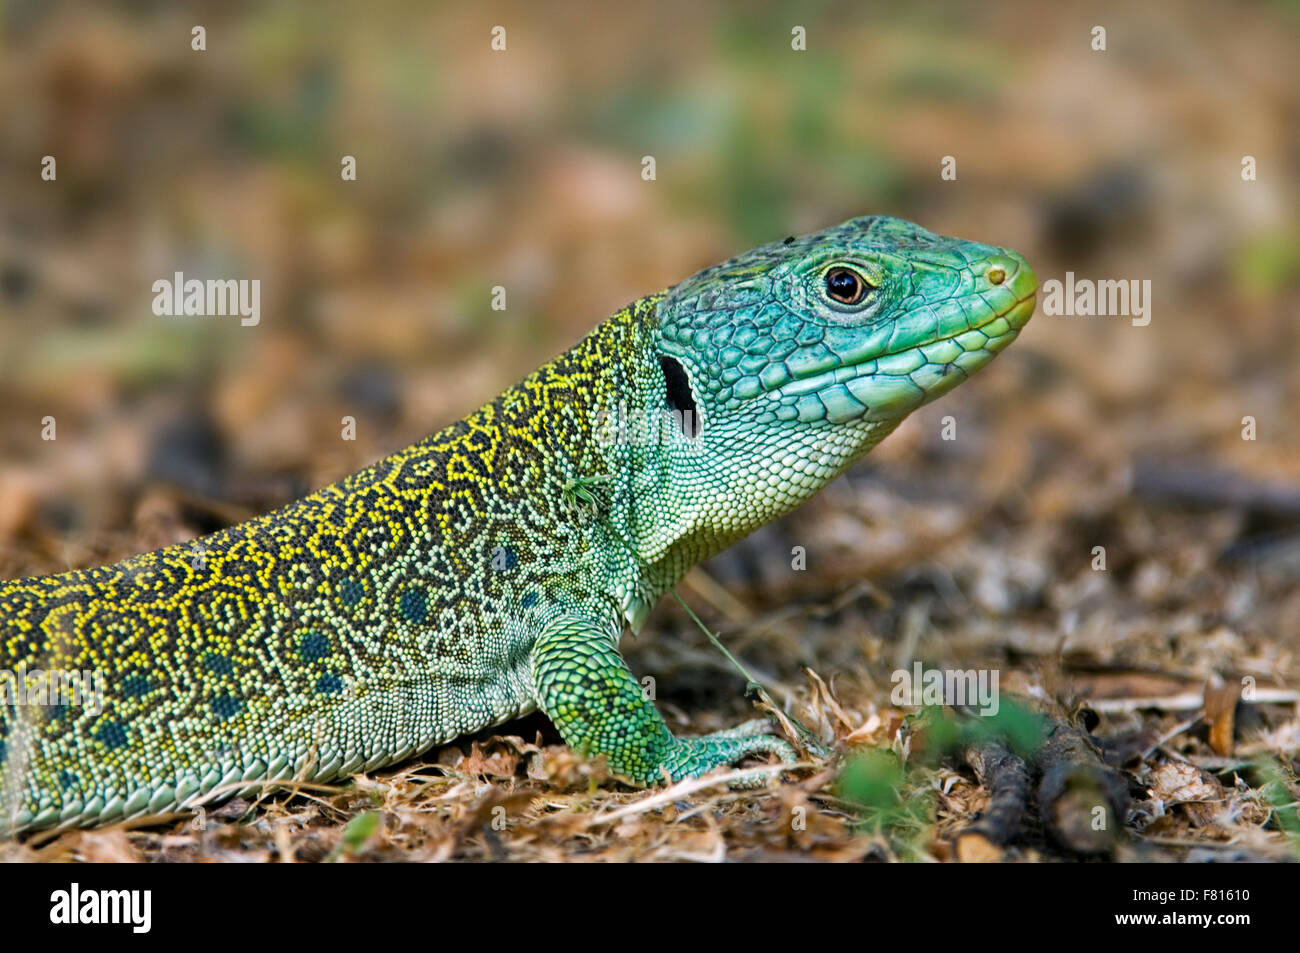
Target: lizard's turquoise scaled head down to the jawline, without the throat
(857,324)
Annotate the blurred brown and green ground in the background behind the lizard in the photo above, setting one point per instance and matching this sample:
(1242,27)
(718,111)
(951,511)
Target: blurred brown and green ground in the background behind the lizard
(523,168)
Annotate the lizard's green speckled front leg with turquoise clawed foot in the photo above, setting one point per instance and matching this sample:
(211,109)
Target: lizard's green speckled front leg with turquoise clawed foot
(586,688)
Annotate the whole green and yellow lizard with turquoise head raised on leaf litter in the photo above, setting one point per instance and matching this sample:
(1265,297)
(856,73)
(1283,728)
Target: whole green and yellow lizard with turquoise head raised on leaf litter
(492,569)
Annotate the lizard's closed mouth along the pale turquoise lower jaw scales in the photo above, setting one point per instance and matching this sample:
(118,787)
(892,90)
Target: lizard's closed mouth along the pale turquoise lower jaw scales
(898,382)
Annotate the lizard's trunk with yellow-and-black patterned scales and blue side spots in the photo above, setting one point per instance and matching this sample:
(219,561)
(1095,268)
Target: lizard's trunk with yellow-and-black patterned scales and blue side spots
(350,630)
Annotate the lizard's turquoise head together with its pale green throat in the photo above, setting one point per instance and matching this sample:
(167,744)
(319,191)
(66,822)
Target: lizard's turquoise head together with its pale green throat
(796,358)
